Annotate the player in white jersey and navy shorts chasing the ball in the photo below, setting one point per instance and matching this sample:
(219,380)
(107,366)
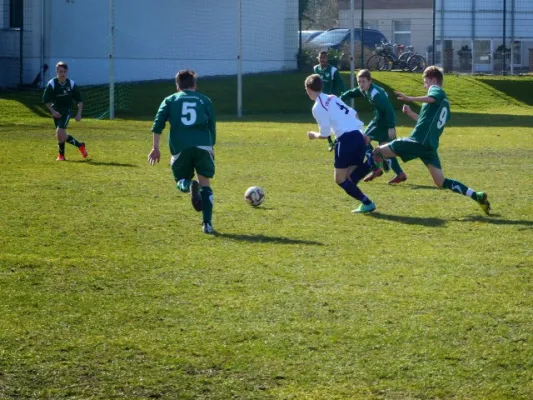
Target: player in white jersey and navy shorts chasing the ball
(333,115)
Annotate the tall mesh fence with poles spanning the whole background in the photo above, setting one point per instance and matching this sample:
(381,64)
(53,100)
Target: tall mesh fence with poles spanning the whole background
(114,41)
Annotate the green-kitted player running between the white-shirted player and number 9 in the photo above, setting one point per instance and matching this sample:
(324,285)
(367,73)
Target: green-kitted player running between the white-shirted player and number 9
(382,128)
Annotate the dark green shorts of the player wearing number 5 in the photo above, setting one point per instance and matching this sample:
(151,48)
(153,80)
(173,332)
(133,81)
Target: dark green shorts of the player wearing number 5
(184,164)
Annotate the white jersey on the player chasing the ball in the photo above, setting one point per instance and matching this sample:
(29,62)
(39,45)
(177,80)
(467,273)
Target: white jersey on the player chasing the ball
(334,115)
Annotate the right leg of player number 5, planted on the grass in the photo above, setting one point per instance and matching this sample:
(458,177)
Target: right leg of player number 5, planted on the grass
(204,163)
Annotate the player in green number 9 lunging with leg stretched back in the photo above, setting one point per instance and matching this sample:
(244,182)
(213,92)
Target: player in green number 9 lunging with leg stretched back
(423,142)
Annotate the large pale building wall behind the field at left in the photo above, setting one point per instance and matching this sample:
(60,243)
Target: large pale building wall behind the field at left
(148,39)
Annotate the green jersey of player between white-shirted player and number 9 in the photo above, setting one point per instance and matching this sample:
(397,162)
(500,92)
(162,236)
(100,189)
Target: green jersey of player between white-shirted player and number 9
(384,115)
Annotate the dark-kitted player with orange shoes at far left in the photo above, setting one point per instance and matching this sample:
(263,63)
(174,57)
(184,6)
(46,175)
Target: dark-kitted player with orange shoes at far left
(58,96)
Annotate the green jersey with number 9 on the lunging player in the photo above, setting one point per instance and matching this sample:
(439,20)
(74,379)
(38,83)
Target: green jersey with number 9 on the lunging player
(432,118)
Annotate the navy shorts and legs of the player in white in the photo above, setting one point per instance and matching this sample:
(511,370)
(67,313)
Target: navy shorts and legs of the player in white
(350,168)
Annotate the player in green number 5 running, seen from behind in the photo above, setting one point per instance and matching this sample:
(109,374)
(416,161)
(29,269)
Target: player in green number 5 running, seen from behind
(191,140)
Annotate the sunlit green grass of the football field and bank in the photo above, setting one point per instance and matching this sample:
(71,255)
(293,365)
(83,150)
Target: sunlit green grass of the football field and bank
(110,289)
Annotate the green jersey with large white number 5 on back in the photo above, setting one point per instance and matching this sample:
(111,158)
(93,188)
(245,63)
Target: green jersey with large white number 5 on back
(192,121)
